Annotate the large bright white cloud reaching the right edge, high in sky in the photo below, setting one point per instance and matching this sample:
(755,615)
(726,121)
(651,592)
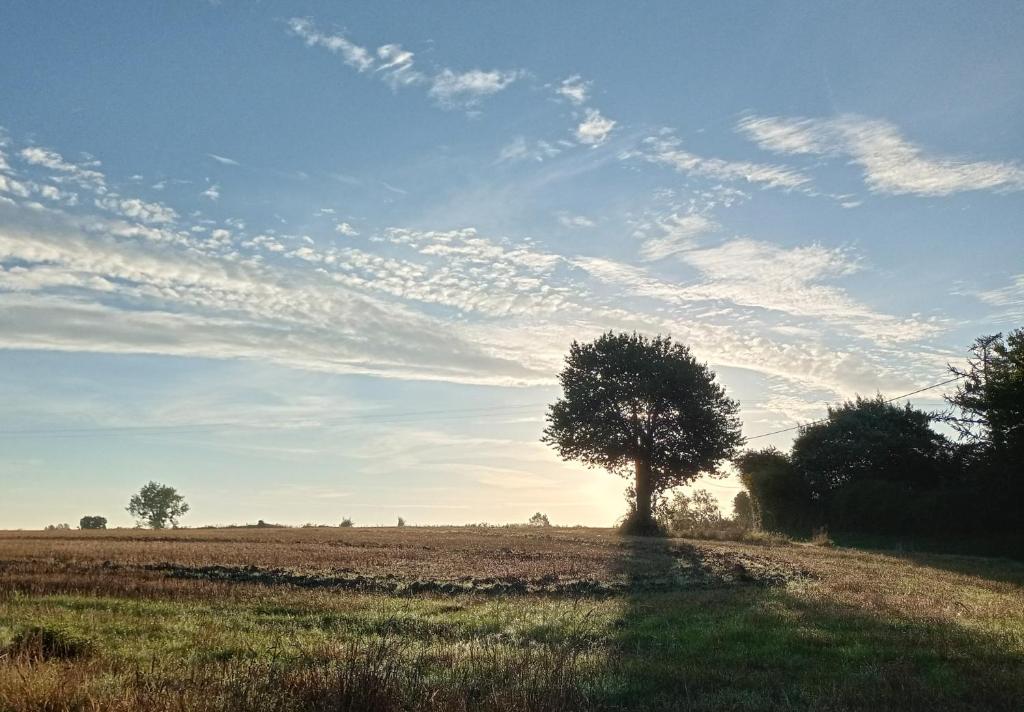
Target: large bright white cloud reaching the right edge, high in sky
(891,164)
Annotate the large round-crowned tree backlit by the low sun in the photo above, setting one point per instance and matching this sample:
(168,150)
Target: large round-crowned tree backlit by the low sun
(643,407)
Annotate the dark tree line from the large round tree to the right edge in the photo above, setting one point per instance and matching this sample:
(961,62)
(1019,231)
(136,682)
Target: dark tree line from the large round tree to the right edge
(647,409)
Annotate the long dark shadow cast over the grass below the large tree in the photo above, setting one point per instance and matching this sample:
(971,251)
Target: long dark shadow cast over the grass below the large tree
(735,646)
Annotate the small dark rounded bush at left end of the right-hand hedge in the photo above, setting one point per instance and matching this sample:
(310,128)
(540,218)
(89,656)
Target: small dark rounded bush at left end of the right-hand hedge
(781,499)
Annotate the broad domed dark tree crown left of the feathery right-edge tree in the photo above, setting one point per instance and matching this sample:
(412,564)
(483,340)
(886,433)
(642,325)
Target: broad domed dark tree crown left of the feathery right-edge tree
(869,439)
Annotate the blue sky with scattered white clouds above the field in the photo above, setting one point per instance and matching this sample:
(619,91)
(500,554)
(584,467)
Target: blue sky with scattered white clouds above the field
(313,261)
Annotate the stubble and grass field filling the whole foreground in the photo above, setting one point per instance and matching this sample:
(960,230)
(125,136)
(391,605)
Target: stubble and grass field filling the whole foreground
(496,619)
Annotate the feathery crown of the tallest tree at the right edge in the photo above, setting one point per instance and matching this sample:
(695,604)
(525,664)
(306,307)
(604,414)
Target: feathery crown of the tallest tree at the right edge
(989,405)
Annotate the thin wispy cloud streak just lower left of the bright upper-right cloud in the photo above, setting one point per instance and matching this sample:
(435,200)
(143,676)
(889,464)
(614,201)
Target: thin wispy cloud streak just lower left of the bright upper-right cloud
(666,150)
